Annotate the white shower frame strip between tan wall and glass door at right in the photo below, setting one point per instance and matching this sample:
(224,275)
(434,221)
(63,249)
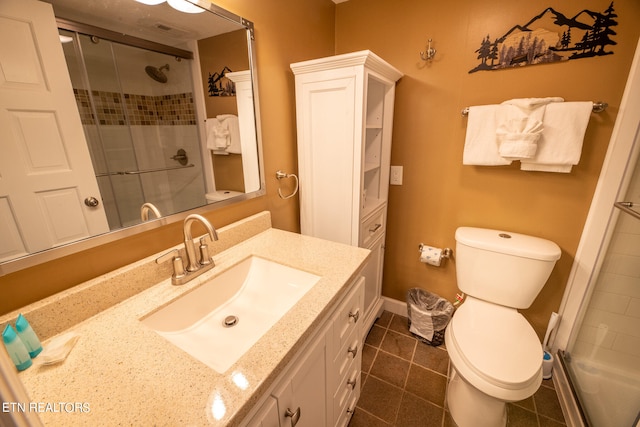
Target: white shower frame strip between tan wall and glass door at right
(620,161)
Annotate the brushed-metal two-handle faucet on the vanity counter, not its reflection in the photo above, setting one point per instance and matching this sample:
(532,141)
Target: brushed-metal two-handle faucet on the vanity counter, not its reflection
(195,266)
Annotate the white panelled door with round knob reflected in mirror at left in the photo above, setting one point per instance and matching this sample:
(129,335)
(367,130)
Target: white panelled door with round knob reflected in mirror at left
(45,167)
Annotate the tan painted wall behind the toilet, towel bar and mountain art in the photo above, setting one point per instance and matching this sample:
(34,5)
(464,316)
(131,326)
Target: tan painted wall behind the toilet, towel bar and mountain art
(439,193)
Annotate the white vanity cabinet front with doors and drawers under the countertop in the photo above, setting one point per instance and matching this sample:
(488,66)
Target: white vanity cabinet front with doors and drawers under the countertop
(321,386)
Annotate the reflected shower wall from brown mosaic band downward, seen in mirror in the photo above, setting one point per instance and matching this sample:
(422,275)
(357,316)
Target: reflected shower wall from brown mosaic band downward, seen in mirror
(158,126)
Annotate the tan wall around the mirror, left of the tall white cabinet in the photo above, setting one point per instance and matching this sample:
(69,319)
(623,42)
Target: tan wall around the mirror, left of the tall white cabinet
(286,31)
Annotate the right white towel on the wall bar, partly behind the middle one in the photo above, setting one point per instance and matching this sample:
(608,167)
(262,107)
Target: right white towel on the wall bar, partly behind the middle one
(560,146)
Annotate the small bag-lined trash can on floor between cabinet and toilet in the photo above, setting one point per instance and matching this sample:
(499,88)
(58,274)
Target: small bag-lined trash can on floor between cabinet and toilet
(429,315)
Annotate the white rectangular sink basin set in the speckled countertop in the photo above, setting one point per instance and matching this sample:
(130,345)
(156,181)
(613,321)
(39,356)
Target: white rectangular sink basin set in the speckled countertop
(256,292)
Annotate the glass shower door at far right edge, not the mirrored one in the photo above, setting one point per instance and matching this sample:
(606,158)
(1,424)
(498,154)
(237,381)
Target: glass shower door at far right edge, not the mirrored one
(604,361)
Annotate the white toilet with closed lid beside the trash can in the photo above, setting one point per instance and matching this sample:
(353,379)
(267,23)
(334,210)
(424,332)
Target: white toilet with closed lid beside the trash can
(496,356)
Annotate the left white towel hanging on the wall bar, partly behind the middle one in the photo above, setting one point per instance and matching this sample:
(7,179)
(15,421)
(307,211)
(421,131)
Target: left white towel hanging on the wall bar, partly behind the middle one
(481,145)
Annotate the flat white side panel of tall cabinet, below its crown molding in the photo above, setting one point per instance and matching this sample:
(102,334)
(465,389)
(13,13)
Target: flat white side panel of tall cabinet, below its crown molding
(329,188)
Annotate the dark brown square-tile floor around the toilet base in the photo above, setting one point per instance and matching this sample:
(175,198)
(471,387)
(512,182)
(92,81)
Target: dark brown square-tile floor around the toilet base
(404,382)
